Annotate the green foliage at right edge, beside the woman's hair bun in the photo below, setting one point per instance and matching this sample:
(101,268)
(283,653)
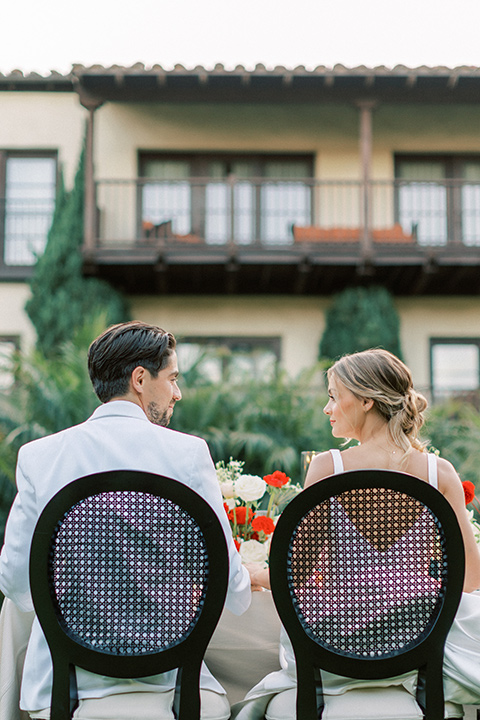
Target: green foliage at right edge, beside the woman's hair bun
(453,428)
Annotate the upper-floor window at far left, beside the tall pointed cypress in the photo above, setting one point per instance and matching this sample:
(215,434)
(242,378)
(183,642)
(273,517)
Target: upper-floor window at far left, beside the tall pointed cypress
(30,188)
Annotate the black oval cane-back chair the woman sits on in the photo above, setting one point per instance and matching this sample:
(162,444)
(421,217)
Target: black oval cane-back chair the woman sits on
(367,571)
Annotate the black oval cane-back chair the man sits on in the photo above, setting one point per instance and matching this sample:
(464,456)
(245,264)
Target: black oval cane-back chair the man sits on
(128,572)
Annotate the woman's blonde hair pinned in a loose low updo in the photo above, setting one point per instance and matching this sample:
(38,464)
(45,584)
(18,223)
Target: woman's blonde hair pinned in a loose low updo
(380,376)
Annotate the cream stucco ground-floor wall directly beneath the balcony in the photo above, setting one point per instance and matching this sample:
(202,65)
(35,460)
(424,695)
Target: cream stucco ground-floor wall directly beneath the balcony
(300,322)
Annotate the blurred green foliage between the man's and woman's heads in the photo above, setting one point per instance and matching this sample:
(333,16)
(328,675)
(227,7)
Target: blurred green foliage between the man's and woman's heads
(266,424)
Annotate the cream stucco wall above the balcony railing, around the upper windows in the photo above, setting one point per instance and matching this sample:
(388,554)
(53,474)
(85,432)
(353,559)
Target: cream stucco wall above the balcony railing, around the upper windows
(329,132)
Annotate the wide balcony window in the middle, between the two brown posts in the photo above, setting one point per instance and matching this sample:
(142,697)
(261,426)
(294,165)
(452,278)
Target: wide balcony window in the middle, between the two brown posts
(243,199)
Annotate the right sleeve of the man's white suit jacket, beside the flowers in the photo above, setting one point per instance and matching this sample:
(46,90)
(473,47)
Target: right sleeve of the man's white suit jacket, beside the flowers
(204,481)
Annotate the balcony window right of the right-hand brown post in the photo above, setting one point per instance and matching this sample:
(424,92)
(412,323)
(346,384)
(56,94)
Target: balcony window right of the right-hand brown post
(439,198)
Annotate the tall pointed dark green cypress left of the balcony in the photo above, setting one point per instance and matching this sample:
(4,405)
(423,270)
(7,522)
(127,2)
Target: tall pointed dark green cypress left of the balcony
(61,298)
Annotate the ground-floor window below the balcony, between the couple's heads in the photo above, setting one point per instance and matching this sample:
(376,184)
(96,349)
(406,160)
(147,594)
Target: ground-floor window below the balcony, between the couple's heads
(236,359)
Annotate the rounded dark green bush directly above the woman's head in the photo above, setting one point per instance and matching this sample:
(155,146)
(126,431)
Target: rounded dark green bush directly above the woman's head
(359,319)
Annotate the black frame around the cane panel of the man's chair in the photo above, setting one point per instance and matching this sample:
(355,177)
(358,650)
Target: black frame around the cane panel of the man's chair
(67,652)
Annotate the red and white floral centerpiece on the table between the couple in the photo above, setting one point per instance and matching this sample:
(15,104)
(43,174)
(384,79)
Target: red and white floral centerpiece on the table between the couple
(253,505)
